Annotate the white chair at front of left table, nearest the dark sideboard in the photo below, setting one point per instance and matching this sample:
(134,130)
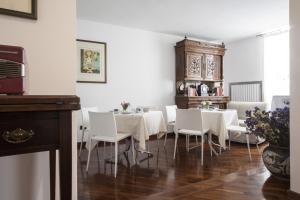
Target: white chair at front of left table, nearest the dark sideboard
(103,128)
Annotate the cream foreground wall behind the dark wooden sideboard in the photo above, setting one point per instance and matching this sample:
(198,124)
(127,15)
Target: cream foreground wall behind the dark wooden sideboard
(50,49)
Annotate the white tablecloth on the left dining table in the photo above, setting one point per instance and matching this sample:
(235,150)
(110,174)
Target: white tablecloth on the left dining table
(141,125)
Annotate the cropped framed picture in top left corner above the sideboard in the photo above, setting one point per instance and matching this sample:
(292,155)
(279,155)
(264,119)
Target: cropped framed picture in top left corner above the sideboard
(19,8)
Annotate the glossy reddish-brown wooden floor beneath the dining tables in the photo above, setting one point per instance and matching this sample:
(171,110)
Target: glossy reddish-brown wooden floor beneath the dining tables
(230,176)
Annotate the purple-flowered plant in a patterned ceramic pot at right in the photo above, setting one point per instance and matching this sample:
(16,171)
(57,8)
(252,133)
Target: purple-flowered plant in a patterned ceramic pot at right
(274,127)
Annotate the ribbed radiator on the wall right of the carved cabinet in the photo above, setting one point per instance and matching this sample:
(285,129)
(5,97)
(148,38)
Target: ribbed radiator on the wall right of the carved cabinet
(246,91)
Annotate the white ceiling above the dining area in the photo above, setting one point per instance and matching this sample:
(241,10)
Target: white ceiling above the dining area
(212,20)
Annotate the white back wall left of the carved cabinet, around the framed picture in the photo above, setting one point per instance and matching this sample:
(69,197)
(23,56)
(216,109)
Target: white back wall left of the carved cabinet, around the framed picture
(140,67)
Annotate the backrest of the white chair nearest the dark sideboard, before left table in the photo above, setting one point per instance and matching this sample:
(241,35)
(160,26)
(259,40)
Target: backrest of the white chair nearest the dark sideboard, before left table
(103,124)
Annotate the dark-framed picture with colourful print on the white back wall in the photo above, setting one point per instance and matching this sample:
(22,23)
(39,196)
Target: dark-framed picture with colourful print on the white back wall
(91,63)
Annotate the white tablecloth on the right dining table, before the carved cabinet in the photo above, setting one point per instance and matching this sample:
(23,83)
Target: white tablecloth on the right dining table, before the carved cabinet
(217,121)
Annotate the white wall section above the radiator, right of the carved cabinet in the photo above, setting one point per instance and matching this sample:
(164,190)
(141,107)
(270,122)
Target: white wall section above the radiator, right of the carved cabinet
(244,61)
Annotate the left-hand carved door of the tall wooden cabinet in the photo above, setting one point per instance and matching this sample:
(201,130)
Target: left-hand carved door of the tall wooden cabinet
(193,65)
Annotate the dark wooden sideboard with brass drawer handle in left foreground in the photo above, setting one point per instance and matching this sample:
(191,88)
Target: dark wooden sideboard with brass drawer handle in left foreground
(33,123)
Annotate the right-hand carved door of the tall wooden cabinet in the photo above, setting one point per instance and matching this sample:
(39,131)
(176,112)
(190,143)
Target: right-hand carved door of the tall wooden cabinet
(212,67)
